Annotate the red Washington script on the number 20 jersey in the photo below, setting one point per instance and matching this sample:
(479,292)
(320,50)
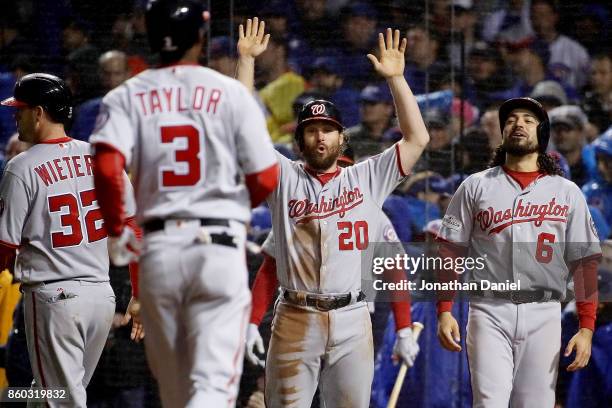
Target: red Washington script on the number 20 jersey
(326,207)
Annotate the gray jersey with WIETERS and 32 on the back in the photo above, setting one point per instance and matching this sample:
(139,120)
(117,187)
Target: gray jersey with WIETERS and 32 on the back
(49,210)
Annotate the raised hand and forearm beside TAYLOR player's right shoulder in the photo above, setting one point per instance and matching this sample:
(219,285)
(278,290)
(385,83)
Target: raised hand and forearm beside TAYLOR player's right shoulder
(251,43)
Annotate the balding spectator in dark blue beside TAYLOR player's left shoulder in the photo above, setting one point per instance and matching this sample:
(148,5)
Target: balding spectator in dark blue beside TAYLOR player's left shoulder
(113,70)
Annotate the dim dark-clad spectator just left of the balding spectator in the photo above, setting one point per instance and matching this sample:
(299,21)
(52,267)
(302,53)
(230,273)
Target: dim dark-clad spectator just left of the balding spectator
(82,57)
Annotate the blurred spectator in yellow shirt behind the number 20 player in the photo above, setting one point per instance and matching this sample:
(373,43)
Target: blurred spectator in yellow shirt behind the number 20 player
(283,86)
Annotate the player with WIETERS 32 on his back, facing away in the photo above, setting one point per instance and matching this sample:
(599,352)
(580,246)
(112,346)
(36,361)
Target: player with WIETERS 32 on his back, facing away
(53,238)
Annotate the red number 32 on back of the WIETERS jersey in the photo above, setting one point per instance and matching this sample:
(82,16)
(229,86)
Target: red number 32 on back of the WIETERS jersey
(70,220)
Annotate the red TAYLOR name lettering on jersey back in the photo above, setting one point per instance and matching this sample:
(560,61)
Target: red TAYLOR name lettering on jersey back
(171,99)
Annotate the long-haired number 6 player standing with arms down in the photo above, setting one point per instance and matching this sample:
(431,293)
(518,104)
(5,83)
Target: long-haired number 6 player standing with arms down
(533,228)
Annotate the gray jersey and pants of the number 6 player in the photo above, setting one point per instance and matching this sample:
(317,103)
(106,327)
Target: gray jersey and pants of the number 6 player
(527,235)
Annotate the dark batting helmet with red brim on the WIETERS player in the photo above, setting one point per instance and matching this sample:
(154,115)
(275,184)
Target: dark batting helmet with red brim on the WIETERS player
(44,90)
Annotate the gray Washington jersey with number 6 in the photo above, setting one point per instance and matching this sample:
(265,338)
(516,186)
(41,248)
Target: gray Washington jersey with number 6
(528,235)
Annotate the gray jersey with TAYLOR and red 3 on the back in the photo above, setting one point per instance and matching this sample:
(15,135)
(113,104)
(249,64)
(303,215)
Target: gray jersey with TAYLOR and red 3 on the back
(189,135)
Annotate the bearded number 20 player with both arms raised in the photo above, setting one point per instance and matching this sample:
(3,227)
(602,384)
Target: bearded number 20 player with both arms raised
(322,218)
